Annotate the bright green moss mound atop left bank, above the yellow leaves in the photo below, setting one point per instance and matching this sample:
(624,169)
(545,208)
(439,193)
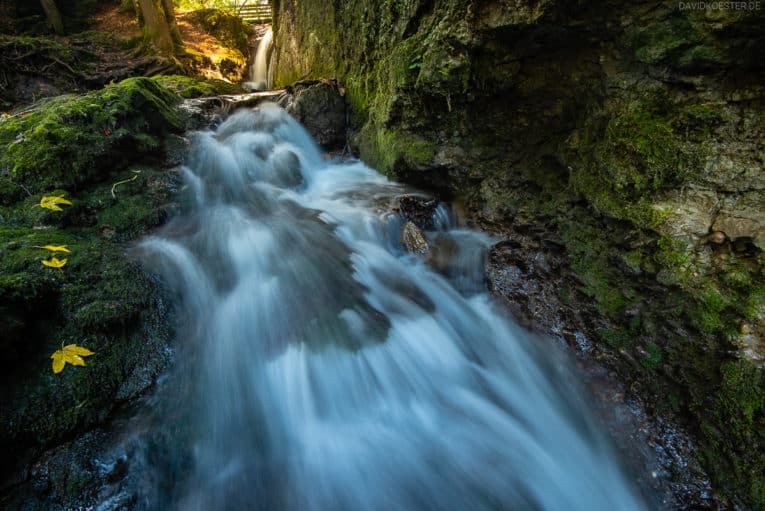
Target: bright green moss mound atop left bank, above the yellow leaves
(65,141)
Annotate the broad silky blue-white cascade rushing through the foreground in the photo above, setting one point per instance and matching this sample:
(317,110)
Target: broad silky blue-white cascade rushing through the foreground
(321,367)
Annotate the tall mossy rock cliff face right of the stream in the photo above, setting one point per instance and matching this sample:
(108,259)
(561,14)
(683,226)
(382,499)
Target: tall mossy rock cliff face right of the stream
(629,135)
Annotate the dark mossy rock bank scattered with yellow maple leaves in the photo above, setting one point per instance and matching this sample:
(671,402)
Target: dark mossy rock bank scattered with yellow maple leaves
(105,150)
